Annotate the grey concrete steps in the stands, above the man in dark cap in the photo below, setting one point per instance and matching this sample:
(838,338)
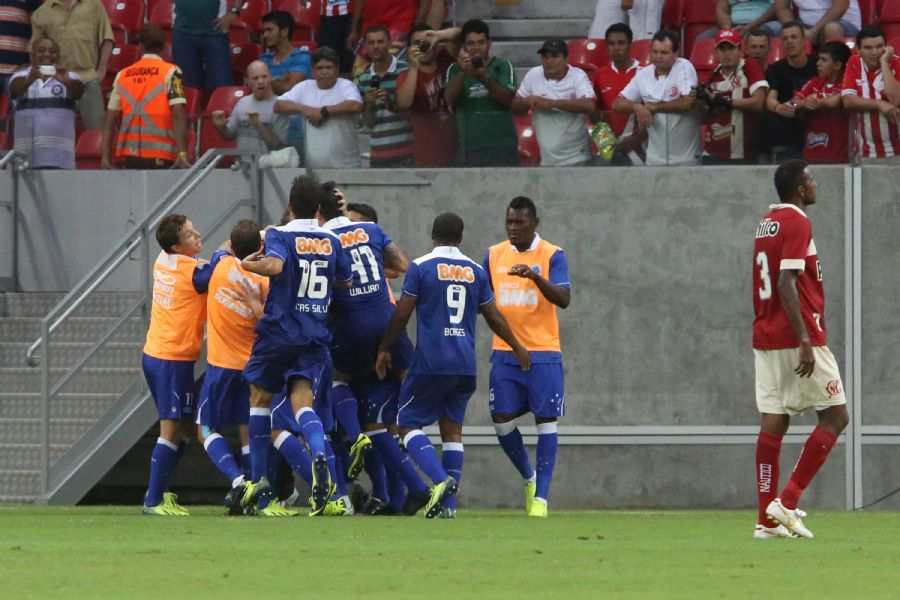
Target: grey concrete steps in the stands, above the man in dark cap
(519,28)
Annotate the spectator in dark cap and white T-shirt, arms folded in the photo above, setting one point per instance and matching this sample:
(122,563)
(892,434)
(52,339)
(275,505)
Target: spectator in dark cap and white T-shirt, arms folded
(559,95)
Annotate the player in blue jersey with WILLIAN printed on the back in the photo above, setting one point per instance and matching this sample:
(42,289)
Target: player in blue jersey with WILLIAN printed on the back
(361,317)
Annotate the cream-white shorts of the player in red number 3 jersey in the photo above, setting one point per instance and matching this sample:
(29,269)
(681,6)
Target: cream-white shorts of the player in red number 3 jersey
(780,391)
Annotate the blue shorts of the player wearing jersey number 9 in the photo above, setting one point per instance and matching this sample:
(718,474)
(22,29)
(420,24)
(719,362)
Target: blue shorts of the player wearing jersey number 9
(425,399)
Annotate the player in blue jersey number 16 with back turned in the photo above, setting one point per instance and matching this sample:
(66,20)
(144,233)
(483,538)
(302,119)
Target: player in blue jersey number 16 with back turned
(303,263)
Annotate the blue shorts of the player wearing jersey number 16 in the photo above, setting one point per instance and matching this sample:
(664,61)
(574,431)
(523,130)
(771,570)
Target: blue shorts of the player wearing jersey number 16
(272,365)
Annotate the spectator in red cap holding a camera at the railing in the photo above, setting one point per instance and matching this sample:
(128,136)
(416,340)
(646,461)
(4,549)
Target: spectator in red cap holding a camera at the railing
(733,97)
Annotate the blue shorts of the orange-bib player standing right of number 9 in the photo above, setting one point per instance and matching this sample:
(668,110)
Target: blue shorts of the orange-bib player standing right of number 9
(540,391)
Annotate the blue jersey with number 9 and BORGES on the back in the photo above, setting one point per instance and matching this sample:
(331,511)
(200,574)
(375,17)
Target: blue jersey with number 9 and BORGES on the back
(450,287)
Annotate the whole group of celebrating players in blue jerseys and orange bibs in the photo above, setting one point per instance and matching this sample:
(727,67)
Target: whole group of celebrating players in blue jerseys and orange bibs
(308,356)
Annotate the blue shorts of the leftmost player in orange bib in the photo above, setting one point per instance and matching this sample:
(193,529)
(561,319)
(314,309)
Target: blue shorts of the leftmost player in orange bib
(172,385)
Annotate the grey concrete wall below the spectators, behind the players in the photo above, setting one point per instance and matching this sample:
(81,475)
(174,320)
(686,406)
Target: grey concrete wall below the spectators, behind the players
(658,333)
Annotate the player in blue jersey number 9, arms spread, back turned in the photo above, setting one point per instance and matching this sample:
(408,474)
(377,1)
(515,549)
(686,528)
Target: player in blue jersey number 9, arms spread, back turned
(447,289)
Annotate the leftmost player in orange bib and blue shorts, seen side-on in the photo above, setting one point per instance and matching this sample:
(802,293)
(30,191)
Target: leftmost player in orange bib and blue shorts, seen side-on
(174,339)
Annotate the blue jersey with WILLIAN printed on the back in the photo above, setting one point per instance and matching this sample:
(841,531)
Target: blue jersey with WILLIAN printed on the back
(364,243)
